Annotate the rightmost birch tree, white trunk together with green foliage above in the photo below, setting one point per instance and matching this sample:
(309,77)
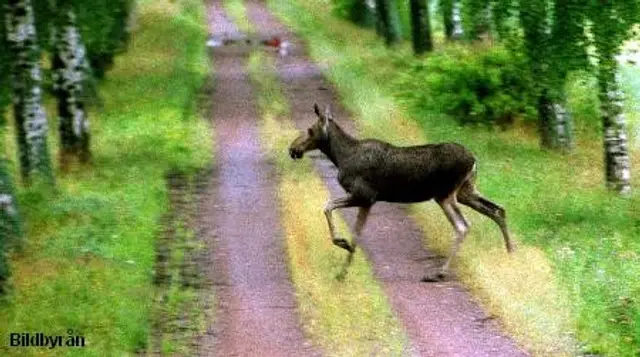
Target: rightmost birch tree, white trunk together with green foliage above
(611,26)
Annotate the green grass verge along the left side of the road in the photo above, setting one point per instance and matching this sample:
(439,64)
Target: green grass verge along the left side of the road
(87,258)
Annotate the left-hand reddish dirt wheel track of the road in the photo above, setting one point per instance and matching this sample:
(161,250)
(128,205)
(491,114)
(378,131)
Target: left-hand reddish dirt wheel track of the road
(256,309)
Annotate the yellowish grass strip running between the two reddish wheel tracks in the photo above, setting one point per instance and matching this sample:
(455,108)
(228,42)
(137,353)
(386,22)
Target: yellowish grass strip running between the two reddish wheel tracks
(345,318)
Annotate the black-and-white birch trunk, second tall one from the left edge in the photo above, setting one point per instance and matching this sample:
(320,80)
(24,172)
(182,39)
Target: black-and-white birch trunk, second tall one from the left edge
(70,69)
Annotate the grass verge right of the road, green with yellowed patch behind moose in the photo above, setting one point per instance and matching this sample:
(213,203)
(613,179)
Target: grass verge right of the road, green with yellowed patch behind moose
(575,274)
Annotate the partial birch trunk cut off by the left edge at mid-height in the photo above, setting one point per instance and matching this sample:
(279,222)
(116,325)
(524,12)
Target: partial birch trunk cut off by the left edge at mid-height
(9,222)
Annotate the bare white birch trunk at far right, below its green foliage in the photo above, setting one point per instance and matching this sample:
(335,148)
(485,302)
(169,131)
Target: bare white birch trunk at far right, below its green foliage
(616,150)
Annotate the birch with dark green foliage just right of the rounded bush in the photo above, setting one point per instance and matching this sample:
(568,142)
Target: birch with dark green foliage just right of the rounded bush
(555,123)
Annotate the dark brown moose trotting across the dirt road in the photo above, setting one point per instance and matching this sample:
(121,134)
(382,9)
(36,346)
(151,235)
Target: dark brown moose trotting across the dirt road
(371,170)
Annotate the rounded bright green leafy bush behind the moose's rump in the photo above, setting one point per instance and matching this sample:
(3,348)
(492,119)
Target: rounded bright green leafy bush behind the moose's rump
(475,85)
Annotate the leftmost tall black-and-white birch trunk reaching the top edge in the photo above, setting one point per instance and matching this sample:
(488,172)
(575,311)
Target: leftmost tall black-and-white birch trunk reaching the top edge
(30,116)
